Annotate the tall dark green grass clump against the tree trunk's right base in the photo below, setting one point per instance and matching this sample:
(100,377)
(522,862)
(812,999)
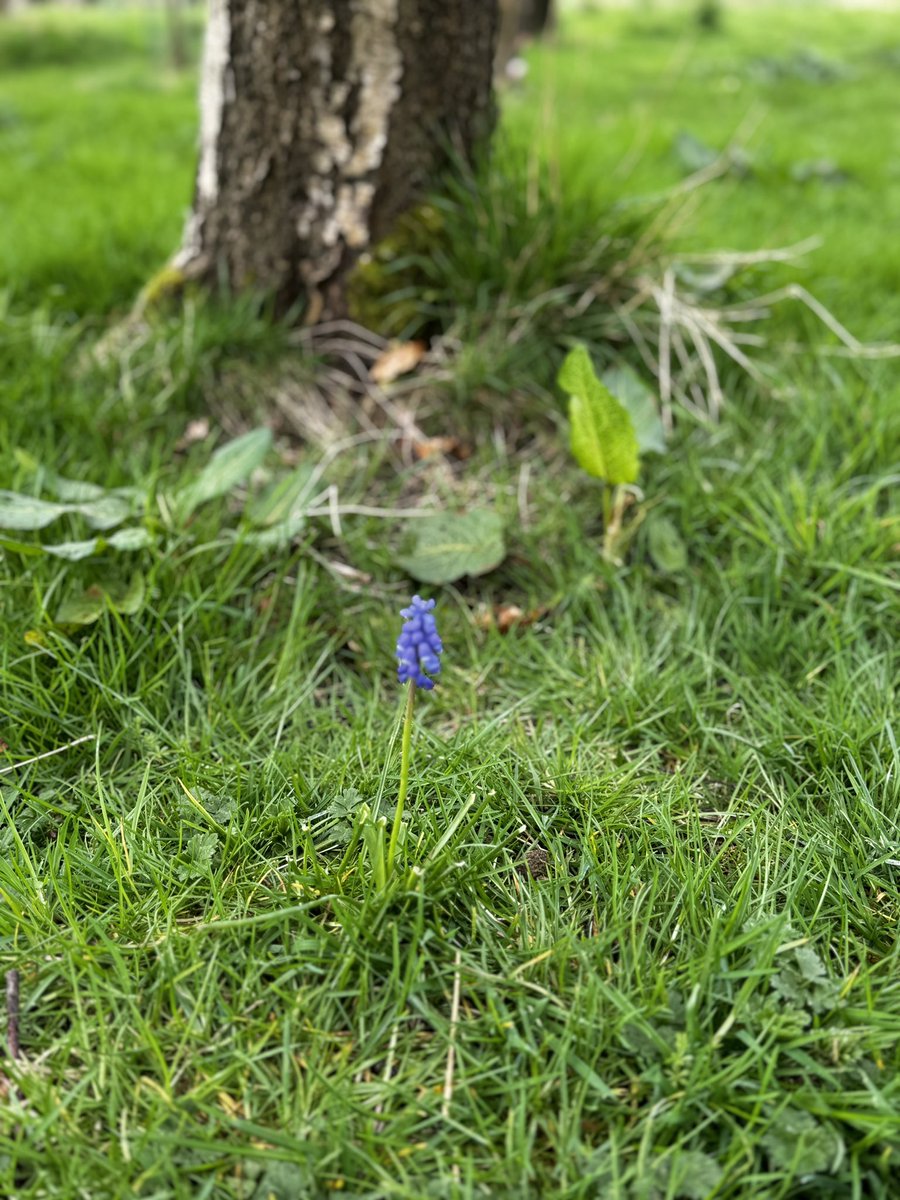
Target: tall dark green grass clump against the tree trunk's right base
(476,262)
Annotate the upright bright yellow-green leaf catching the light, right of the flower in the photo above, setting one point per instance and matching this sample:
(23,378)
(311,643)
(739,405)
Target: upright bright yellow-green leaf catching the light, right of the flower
(603,437)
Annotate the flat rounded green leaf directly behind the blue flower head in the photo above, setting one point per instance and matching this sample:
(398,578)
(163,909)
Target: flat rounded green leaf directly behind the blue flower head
(452,545)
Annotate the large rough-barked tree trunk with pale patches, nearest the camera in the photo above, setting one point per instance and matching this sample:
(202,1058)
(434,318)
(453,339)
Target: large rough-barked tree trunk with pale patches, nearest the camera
(321,123)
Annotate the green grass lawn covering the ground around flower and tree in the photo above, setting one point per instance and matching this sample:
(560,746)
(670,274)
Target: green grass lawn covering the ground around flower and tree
(694,993)
